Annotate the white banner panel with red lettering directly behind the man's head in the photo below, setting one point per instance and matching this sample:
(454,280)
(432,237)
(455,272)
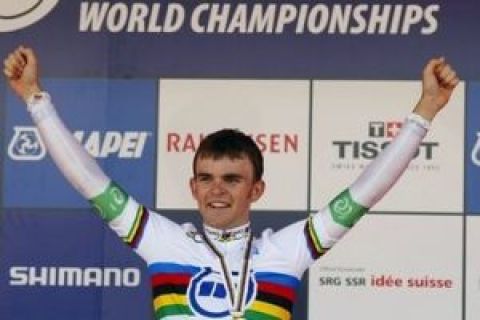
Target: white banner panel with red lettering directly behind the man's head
(274,113)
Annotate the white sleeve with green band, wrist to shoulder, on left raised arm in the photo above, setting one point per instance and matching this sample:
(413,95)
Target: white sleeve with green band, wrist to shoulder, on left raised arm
(139,228)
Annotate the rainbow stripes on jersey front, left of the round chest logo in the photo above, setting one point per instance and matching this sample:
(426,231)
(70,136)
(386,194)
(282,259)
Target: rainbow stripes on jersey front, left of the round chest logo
(169,288)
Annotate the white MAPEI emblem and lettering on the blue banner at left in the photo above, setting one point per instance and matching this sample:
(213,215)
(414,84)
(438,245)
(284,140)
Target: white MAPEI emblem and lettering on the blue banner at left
(27,145)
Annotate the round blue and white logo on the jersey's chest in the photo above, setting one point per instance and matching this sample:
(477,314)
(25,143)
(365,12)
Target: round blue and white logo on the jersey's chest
(208,296)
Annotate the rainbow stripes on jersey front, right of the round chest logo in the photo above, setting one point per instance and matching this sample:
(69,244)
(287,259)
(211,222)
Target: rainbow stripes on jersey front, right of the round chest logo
(275,297)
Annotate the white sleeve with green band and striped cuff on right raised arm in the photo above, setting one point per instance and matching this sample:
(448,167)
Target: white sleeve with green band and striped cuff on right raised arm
(329,225)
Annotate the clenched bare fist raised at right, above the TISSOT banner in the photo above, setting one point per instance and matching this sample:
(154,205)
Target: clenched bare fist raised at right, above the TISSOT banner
(439,81)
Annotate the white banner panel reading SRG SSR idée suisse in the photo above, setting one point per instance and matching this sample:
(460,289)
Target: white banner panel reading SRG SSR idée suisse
(392,267)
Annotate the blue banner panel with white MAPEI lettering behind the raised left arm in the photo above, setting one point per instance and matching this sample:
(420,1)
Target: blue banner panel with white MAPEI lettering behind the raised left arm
(111,119)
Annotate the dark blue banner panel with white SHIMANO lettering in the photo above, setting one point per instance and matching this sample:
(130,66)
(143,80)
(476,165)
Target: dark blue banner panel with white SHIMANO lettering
(74,264)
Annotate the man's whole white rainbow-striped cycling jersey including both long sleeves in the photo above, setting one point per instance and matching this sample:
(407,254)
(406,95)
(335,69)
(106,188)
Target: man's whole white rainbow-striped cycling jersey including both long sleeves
(189,279)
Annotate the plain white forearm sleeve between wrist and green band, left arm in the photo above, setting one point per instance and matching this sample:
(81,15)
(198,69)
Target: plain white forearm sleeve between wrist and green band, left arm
(71,158)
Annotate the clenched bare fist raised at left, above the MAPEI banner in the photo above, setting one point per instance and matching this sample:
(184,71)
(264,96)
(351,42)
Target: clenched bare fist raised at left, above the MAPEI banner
(21,70)
